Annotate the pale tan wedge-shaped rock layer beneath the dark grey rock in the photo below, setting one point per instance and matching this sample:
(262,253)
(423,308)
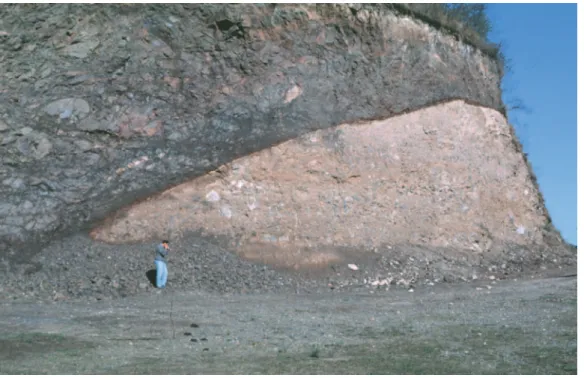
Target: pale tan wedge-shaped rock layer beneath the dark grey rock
(444,176)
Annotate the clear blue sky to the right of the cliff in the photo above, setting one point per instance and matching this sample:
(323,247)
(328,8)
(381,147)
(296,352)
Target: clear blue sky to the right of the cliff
(541,41)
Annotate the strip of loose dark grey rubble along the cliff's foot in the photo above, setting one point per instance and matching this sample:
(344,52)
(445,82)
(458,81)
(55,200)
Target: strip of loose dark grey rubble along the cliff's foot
(80,268)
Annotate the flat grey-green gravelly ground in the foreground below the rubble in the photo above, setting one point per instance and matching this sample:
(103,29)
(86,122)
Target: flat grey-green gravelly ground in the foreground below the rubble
(525,326)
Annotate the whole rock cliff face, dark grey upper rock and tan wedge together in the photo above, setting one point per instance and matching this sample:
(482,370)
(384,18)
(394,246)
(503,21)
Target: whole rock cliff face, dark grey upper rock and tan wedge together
(102,107)
